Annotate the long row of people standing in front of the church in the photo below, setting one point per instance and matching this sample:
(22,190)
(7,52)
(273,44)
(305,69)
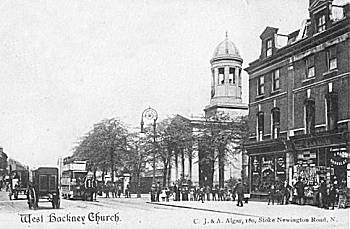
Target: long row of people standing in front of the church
(195,193)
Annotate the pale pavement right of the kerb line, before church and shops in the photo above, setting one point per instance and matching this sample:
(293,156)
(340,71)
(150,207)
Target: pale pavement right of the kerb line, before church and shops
(303,216)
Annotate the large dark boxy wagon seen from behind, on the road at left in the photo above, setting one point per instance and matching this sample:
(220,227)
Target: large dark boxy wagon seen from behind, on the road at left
(44,186)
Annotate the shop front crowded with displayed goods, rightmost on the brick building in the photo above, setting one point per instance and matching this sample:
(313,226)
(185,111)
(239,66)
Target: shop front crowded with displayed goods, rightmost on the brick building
(324,156)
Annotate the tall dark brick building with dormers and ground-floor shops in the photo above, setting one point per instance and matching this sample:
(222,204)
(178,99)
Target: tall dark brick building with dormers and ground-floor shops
(299,102)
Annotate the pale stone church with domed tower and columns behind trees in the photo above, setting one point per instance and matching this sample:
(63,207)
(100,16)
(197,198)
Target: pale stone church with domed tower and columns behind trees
(225,100)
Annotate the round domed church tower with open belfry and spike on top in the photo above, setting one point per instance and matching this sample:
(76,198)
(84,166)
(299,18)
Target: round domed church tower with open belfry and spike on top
(226,81)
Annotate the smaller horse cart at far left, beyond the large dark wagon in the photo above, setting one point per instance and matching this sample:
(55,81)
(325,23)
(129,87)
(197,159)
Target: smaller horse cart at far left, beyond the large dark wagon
(18,183)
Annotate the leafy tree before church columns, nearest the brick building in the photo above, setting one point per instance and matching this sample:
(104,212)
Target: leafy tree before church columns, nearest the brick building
(221,138)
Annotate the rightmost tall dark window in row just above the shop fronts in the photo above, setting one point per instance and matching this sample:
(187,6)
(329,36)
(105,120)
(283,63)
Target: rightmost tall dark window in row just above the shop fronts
(332,110)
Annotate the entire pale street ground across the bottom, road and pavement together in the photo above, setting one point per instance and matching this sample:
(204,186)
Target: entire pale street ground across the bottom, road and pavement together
(137,213)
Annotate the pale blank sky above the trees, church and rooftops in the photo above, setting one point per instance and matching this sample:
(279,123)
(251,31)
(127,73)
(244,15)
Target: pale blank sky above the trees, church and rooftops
(65,65)
